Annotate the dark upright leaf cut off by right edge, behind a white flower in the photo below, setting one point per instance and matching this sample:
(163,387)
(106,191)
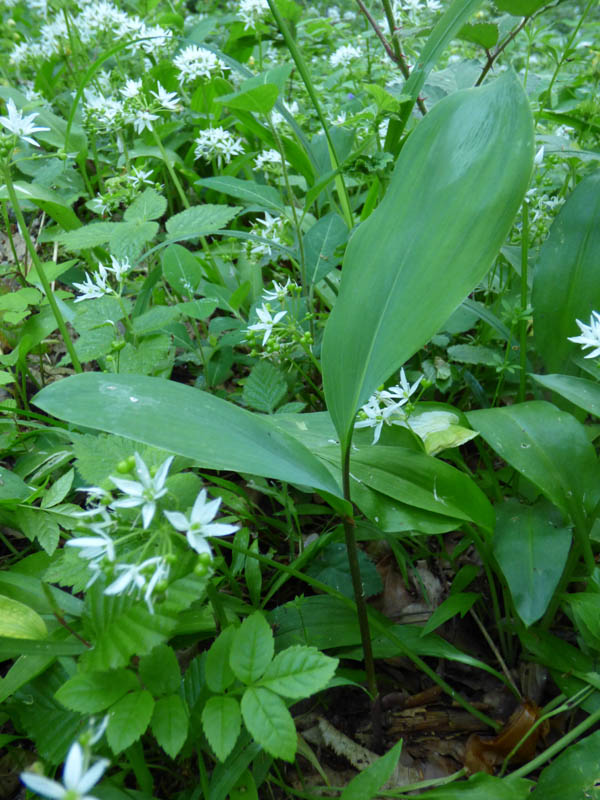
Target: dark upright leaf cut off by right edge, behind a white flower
(567,268)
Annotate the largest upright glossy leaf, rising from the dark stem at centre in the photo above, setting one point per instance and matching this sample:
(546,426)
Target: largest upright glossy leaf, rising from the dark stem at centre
(457,185)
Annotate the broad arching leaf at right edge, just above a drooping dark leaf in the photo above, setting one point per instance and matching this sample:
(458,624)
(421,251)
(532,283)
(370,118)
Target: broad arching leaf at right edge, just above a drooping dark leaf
(539,440)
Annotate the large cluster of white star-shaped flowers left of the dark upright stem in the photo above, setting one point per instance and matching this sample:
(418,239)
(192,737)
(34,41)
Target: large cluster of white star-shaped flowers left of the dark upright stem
(134,552)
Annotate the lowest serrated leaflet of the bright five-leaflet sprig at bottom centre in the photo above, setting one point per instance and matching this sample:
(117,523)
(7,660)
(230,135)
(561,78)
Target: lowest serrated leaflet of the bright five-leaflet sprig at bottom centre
(270,723)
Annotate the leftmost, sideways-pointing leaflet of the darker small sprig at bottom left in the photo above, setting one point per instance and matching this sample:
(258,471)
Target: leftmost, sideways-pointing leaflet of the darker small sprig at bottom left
(90,692)
